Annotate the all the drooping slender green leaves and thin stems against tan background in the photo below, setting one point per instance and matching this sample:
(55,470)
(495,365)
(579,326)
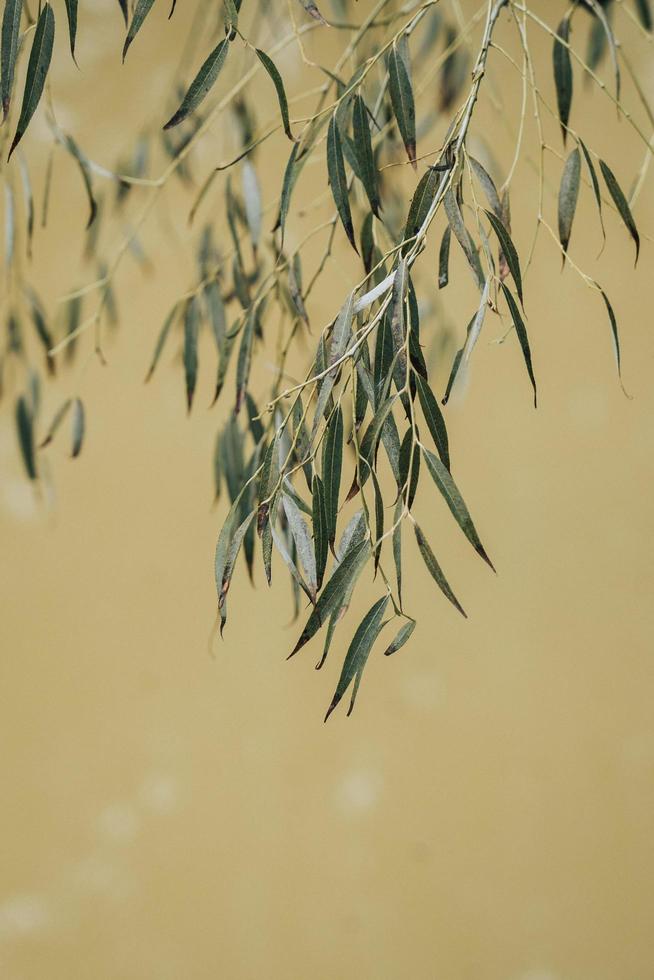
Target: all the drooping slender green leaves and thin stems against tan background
(367,402)
